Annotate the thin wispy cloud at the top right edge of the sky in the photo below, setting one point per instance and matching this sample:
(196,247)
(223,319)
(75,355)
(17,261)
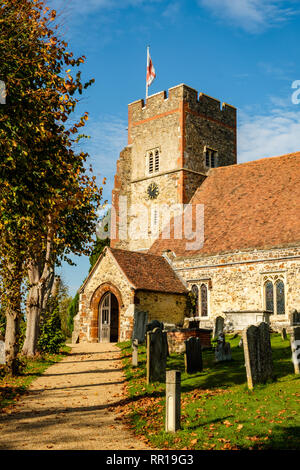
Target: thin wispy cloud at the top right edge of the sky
(251,15)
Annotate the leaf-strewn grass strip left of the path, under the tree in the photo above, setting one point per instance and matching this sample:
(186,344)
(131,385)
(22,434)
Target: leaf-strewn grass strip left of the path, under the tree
(12,387)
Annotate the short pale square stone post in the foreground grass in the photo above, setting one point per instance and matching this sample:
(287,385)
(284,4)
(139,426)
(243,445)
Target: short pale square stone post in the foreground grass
(173,405)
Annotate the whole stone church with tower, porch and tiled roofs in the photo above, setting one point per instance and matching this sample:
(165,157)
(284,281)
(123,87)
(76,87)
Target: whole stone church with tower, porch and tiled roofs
(187,218)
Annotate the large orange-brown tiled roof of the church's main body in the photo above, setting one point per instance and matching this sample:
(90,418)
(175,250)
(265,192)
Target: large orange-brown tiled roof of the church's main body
(253,205)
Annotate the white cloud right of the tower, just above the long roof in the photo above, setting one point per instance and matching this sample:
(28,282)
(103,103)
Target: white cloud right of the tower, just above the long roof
(269,135)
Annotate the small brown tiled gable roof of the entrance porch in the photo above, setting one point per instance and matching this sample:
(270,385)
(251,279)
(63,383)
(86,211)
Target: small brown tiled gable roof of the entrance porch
(148,271)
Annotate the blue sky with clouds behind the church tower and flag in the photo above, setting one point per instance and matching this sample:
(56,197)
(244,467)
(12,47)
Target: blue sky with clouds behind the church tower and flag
(243,52)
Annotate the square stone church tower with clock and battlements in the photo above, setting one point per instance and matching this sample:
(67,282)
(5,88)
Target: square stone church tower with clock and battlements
(174,140)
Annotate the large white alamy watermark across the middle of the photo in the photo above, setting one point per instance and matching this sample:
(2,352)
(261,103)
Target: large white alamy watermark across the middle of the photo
(139,222)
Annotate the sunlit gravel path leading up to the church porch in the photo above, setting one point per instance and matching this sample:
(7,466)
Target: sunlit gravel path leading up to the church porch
(71,406)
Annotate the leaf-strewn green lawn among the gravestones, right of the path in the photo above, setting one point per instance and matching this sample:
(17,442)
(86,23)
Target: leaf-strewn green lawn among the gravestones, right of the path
(218,411)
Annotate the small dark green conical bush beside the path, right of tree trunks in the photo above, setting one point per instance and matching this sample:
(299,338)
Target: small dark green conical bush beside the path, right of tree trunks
(51,337)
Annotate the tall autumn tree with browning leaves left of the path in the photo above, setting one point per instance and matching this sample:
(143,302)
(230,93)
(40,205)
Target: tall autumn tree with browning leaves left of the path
(44,189)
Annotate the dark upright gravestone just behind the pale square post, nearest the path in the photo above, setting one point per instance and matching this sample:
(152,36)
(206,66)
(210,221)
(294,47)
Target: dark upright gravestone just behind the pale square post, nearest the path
(156,355)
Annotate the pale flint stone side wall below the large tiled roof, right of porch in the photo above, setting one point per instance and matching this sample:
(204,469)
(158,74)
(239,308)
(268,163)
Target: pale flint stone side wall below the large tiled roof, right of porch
(237,280)
